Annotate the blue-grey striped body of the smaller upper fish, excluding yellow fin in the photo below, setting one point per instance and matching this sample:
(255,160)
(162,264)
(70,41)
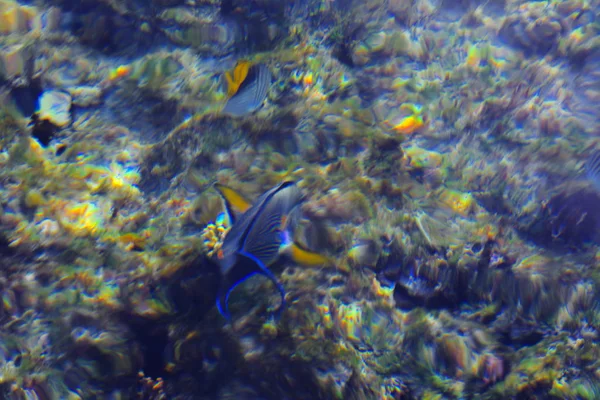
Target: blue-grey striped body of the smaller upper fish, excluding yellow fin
(251,92)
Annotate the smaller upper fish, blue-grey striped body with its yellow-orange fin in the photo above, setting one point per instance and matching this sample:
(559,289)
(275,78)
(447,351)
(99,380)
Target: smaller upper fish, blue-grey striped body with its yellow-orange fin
(247,88)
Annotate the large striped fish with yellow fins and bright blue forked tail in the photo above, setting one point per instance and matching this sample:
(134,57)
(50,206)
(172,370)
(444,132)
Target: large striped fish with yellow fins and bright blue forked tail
(257,238)
